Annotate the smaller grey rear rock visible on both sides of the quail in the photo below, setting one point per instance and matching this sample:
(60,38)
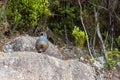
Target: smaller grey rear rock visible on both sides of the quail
(27,43)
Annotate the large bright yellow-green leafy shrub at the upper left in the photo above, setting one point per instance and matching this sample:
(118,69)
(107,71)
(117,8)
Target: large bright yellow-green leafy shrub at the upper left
(26,13)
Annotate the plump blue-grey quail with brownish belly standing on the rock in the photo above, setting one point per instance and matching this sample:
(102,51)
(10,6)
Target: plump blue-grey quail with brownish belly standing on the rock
(42,43)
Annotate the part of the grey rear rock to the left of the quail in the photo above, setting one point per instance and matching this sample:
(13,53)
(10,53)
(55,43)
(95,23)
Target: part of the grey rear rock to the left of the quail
(22,43)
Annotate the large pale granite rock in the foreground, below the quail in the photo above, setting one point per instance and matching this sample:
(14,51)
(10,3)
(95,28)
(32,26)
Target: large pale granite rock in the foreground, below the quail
(34,66)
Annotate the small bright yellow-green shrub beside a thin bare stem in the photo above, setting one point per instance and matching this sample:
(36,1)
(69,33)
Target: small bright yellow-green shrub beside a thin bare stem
(79,36)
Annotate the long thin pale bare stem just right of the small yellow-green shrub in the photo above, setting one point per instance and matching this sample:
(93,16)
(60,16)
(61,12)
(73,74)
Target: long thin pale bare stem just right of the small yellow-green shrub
(88,45)
